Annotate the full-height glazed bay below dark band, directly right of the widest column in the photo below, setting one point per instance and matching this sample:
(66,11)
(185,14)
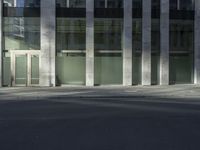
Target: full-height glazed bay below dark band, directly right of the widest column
(70,45)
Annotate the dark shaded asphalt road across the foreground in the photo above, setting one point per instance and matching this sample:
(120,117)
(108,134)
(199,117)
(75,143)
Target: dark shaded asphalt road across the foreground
(99,123)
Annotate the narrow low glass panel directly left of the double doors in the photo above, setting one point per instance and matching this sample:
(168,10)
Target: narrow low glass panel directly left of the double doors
(6,70)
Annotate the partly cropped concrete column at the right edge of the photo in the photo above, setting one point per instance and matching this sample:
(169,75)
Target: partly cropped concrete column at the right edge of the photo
(197,44)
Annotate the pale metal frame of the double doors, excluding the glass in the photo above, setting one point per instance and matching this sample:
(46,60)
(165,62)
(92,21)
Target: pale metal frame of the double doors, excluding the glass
(28,54)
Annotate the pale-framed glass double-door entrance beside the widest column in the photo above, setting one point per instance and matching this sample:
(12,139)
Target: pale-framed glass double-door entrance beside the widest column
(25,68)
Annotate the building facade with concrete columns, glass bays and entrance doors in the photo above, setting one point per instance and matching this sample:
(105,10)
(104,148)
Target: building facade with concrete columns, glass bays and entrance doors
(99,42)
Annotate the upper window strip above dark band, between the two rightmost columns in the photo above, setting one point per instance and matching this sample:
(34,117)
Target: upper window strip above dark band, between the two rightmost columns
(182,4)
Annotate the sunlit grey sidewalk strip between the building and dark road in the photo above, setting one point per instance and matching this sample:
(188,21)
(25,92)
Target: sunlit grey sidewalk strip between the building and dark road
(189,92)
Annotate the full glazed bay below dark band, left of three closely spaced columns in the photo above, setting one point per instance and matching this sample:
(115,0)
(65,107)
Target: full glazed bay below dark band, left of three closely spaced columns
(108,51)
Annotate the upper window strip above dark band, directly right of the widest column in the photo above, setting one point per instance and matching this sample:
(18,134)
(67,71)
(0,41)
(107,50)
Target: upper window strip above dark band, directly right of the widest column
(71,3)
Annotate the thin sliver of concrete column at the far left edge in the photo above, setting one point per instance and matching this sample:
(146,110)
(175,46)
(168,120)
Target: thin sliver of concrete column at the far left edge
(1,42)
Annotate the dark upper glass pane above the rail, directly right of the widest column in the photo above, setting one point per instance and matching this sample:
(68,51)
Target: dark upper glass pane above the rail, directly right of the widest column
(71,34)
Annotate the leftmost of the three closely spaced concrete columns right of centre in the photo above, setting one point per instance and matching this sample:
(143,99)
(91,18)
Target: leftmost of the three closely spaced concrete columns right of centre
(127,43)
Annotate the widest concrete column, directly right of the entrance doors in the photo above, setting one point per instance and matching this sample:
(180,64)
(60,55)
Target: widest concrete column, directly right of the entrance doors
(48,41)
